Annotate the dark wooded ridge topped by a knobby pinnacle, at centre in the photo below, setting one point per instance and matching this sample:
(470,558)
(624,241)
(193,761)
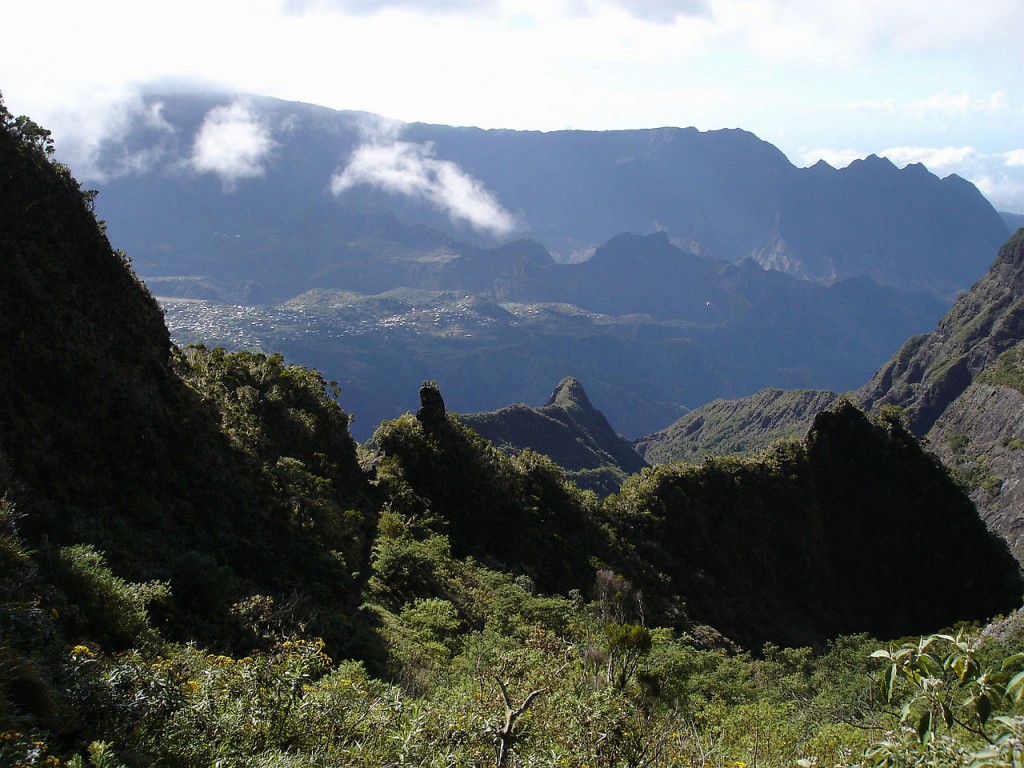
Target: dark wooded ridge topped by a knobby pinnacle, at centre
(517,513)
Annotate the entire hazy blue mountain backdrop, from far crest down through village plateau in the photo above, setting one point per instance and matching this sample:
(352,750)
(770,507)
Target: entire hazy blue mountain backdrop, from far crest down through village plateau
(500,263)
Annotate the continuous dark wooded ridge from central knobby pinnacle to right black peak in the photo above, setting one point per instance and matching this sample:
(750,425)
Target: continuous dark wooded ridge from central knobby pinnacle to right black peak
(764,549)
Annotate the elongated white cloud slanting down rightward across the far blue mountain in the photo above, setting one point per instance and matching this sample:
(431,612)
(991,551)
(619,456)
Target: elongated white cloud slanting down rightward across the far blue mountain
(413,170)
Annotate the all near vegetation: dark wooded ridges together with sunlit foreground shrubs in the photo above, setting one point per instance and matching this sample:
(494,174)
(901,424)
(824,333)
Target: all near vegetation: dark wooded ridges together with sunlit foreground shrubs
(200,568)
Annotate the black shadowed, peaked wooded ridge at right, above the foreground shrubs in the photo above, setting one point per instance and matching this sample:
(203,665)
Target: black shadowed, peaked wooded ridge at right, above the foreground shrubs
(774,548)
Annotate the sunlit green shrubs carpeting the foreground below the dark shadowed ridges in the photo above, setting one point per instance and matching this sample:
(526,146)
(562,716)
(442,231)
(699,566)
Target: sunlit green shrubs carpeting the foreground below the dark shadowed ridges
(496,674)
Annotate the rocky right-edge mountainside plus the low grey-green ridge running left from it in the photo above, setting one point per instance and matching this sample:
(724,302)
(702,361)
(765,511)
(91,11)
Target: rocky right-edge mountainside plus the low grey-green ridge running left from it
(959,388)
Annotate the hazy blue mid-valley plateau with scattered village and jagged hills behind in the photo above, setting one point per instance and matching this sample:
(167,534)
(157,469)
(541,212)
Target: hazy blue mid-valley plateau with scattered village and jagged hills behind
(655,331)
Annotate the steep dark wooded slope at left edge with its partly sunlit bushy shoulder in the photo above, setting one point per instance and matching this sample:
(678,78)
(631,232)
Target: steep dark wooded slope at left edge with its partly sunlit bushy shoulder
(228,477)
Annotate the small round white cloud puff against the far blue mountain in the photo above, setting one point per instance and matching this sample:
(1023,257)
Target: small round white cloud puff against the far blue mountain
(233,144)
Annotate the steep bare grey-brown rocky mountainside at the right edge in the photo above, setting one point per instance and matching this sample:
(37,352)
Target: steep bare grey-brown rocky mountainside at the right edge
(945,382)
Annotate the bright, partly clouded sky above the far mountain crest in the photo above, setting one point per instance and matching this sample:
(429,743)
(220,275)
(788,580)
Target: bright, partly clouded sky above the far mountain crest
(940,82)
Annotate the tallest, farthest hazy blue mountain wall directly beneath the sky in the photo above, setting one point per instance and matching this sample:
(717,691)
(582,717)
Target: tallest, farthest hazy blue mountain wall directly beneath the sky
(303,197)
